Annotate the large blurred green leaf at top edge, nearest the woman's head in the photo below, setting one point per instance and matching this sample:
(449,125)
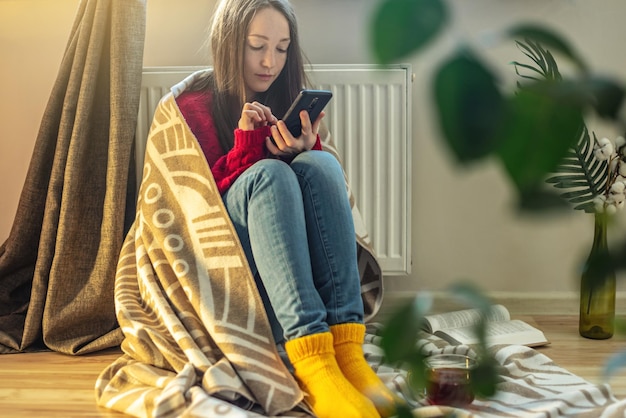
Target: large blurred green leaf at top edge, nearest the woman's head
(401,27)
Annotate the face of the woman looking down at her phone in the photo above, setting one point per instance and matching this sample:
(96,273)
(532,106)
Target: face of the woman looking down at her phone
(265,53)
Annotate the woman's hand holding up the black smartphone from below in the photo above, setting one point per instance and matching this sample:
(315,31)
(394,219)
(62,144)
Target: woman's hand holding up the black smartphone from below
(285,144)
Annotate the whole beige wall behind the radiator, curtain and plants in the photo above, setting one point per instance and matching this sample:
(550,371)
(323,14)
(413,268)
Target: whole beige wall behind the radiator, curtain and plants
(464,226)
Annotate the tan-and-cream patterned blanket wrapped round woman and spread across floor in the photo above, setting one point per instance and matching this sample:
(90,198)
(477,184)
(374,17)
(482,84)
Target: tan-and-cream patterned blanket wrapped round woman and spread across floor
(197,341)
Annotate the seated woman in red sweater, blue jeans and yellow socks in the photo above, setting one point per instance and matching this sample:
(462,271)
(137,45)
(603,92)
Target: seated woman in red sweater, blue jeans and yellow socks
(288,202)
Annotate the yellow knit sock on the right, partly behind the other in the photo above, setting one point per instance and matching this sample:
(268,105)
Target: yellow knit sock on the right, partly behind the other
(348,342)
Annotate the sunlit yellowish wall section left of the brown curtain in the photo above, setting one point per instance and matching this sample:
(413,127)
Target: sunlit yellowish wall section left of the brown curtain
(33,34)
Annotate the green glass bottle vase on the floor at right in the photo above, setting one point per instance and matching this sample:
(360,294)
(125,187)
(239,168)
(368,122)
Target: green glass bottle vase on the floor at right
(597,287)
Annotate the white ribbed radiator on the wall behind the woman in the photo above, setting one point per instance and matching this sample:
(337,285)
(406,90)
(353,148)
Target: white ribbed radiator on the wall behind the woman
(368,118)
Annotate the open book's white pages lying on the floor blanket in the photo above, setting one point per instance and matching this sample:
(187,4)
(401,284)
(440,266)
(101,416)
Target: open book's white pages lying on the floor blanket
(500,332)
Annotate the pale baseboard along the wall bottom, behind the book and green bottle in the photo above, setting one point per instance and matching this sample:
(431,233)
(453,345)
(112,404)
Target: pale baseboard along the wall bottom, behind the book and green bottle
(518,303)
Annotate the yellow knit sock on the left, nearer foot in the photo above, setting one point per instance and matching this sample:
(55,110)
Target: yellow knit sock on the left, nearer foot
(318,374)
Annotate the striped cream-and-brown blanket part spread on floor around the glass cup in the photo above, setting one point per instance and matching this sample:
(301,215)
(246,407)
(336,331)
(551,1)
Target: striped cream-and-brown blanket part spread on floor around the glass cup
(530,385)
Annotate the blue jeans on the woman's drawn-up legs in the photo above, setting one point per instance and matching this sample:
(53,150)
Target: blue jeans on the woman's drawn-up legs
(295,224)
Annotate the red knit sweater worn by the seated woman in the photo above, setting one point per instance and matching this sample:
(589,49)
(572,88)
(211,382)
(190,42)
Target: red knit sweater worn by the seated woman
(249,146)
